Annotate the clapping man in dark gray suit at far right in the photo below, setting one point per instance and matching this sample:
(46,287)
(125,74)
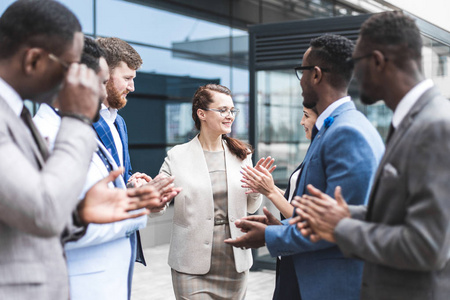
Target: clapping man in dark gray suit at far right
(404,234)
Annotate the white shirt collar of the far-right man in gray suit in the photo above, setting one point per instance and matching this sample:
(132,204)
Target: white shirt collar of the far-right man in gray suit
(408,101)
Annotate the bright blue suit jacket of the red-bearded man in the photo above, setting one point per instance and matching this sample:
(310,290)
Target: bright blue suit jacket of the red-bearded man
(105,135)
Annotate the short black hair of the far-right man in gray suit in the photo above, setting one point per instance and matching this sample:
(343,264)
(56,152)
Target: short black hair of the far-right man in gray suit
(393,28)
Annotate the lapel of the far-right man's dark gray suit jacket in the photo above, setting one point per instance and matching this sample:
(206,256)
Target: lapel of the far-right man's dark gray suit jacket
(395,140)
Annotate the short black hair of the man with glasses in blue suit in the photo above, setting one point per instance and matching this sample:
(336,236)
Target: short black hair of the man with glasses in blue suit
(332,51)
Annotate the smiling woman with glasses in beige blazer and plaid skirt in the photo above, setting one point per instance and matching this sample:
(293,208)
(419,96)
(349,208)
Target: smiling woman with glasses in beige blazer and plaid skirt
(208,170)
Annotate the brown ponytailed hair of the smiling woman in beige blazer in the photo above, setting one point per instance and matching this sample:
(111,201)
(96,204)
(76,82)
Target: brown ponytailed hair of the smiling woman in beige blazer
(201,100)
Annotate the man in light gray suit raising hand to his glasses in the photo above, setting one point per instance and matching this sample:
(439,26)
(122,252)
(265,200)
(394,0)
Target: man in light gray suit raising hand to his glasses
(40,47)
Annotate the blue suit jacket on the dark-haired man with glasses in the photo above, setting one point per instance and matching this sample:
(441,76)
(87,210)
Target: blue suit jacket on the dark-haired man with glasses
(346,154)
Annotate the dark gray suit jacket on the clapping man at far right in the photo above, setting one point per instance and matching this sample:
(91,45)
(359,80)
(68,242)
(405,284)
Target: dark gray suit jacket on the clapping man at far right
(404,234)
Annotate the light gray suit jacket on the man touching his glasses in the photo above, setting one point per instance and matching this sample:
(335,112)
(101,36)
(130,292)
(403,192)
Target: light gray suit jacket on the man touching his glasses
(36,203)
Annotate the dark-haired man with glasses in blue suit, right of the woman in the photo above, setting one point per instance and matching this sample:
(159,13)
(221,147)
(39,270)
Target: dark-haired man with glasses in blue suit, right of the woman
(345,151)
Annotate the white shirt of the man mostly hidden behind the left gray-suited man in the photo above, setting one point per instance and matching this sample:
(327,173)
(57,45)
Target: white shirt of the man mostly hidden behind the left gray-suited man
(99,264)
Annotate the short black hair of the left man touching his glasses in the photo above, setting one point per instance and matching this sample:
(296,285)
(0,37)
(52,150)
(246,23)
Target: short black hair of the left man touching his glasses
(44,24)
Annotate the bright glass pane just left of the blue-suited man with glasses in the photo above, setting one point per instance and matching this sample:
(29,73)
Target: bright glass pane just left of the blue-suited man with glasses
(279,115)
